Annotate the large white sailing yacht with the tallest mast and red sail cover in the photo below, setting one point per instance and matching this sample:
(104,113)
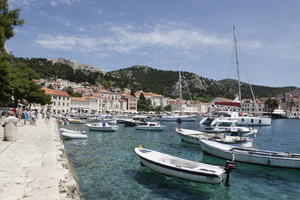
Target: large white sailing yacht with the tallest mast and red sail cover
(243,120)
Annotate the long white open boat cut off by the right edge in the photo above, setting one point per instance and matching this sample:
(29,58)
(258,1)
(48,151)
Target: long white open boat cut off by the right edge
(250,155)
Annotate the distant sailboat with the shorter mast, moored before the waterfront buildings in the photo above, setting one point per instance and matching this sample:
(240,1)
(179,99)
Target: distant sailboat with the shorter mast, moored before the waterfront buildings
(176,117)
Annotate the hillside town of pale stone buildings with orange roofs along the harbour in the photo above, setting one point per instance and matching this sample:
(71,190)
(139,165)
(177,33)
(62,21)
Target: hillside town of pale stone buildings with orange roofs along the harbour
(100,100)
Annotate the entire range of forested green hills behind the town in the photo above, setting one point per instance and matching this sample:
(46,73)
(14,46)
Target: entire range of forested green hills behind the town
(149,79)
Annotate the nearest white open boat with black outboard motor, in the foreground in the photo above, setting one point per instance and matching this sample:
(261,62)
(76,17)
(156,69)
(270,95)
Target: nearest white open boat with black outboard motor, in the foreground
(180,168)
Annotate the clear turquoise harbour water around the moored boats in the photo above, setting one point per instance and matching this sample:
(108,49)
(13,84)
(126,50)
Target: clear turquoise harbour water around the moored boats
(107,167)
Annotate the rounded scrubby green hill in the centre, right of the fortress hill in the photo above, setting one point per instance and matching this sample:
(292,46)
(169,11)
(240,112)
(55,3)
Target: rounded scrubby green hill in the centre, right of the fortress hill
(167,83)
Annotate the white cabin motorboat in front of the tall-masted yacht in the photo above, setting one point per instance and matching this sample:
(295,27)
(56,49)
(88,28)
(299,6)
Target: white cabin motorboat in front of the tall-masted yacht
(229,126)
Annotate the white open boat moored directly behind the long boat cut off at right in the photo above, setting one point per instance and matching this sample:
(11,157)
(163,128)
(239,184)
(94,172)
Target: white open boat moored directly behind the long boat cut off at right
(192,136)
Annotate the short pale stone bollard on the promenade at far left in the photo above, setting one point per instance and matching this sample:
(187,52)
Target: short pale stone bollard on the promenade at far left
(10,128)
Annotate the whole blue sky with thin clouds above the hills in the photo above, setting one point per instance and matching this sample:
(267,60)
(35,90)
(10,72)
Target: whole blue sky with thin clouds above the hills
(165,34)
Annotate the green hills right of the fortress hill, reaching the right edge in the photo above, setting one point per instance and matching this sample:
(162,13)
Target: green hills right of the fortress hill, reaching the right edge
(194,86)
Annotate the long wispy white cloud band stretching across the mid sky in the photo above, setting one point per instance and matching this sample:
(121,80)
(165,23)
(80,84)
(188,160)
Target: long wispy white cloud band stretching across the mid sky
(127,39)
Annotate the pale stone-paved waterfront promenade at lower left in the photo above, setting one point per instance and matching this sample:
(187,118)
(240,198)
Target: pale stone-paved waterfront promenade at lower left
(34,166)
